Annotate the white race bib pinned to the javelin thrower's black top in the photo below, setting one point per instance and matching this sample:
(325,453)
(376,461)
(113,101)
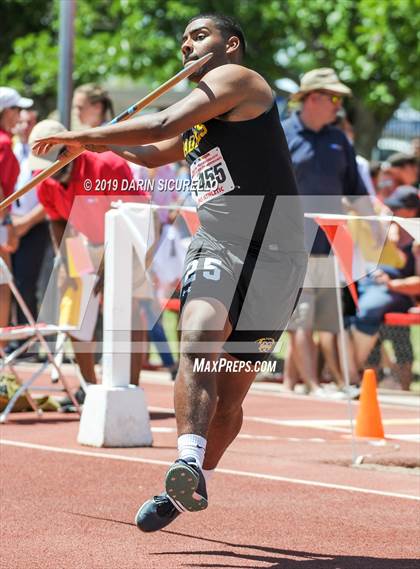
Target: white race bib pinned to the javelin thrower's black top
(210,177)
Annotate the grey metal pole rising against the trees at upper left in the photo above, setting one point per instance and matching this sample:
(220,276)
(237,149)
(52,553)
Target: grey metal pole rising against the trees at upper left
(66,41)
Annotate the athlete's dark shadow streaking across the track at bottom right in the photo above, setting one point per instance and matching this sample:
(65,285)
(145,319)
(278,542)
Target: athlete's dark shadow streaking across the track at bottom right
(280,558)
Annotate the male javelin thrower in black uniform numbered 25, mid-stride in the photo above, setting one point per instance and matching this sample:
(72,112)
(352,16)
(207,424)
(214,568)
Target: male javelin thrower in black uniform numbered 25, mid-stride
(246,263)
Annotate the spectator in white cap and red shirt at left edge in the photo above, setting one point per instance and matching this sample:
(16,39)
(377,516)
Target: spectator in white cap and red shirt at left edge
(10,104)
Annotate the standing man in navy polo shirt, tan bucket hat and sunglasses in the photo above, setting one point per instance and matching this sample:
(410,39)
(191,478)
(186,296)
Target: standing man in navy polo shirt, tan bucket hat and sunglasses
(326,171)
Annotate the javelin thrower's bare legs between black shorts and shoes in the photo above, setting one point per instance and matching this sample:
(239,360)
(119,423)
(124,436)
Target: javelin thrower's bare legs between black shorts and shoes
(208,404)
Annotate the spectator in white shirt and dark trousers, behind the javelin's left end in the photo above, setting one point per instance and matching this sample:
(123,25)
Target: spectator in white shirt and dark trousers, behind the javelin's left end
(29,221)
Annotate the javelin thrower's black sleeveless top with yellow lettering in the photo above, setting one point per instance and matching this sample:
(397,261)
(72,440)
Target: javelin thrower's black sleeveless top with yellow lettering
(243,181)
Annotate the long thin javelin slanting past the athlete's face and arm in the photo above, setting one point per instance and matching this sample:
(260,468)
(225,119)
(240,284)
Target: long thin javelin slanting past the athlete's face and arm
(141,104)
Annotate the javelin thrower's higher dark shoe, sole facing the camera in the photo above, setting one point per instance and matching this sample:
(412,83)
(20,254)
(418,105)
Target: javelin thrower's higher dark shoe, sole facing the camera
(186,485)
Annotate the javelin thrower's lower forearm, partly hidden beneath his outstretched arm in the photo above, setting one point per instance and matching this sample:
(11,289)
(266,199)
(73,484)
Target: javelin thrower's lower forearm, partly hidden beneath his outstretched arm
(152,155)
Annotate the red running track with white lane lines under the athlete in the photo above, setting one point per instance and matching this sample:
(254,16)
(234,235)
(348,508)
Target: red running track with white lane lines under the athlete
(285,496)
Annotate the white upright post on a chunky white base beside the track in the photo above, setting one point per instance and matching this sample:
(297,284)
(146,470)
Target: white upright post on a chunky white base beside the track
(115,413)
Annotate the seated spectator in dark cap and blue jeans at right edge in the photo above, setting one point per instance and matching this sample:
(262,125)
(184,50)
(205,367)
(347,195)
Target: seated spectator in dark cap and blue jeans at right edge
(388,289)
